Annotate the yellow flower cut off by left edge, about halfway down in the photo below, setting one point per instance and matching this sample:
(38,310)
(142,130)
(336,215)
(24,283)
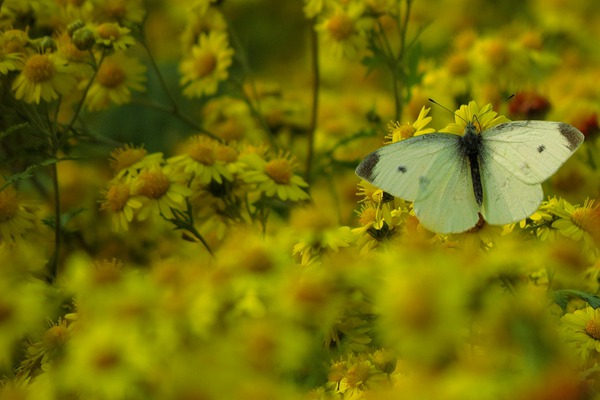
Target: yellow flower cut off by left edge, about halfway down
(15,216)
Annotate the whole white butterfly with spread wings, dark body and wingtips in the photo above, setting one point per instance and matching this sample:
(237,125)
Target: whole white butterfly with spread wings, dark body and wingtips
(453,179)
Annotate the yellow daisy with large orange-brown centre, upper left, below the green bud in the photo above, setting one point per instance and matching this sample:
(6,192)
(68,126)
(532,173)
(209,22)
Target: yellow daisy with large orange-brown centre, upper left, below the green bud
(43,77)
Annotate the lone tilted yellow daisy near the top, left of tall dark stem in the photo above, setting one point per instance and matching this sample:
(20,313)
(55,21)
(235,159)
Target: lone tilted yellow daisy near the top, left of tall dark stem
(207,65)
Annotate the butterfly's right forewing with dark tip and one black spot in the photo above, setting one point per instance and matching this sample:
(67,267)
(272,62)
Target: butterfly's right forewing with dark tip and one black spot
(531,150)
